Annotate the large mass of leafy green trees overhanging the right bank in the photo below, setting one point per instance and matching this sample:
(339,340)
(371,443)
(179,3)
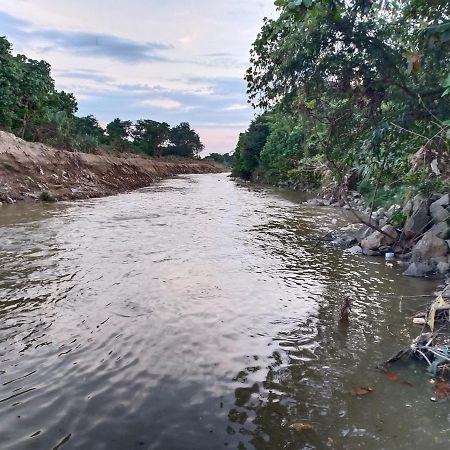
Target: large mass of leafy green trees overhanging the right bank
(363,84)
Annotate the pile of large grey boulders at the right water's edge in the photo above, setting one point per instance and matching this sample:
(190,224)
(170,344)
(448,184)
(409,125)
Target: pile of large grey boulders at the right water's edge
(422,245)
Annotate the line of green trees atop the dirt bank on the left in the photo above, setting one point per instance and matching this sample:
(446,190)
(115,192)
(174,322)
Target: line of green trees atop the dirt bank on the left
(32,108)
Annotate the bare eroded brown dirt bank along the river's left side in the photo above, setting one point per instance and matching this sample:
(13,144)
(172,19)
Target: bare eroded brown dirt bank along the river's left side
(28,169)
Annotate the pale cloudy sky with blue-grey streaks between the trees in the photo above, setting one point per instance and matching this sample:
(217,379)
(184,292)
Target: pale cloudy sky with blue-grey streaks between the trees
(166,60)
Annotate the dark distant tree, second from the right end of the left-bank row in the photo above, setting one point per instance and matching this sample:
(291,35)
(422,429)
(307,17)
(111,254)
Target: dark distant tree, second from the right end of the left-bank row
(149,136)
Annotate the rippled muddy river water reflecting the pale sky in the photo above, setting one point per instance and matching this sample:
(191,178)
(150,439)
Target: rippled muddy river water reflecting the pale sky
(200,314)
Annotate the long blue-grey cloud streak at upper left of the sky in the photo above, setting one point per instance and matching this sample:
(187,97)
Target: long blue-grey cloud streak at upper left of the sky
(85,44)
